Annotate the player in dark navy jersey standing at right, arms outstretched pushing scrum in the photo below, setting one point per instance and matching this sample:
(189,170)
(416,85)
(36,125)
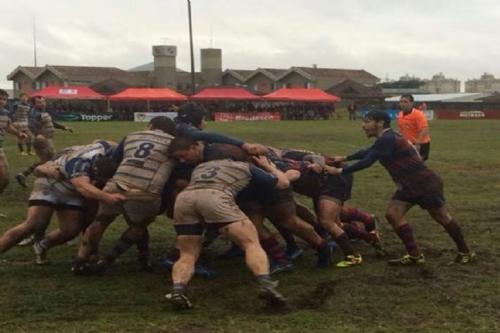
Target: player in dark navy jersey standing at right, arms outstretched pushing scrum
(416,185)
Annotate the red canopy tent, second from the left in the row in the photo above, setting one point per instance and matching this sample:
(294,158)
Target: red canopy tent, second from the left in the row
(148,94)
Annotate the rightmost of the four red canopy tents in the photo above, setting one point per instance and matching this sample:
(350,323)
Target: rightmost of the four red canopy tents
(301,95)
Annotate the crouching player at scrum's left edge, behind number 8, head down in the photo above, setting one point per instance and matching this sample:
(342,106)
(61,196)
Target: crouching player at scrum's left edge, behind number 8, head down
(65,197)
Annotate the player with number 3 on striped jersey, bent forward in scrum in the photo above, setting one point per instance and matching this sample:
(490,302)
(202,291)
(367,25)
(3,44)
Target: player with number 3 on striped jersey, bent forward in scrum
(209,201)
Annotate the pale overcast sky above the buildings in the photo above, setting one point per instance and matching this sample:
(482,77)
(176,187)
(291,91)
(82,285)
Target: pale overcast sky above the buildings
(388,38)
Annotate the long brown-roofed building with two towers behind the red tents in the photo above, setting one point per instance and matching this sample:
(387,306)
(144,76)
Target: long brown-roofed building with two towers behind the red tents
(163,72)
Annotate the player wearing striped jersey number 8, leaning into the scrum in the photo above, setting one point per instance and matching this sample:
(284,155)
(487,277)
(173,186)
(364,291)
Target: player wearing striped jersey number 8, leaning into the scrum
(144,169)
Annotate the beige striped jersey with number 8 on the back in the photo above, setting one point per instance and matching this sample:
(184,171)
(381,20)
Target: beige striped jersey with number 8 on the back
(145,165)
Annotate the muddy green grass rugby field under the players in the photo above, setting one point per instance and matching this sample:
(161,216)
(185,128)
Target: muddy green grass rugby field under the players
(369,298)
